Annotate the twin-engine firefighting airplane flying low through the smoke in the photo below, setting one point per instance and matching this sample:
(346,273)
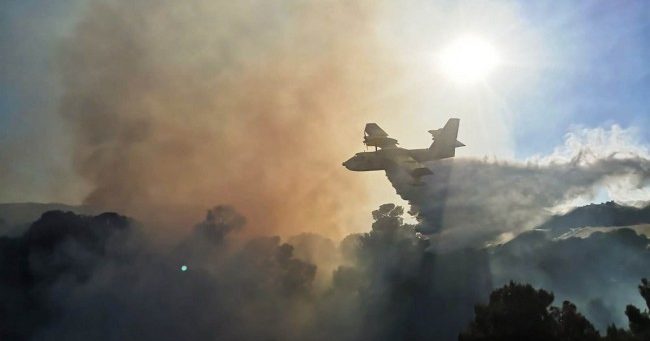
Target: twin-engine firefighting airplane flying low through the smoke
(389,157)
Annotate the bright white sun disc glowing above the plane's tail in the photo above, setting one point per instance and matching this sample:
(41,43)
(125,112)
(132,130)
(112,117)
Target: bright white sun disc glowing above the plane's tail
(468,60)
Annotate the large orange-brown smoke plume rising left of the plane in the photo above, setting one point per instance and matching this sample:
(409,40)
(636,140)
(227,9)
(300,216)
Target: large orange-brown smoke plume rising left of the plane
(176,104)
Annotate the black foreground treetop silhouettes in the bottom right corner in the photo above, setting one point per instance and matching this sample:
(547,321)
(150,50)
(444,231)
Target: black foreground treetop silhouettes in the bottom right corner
(519,312)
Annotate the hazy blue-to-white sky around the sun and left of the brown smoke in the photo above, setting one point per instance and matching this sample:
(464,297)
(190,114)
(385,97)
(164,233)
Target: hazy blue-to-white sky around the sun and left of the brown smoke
(564,65)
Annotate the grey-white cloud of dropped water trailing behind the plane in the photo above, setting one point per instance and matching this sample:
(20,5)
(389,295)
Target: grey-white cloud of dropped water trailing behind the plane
(473,202)
